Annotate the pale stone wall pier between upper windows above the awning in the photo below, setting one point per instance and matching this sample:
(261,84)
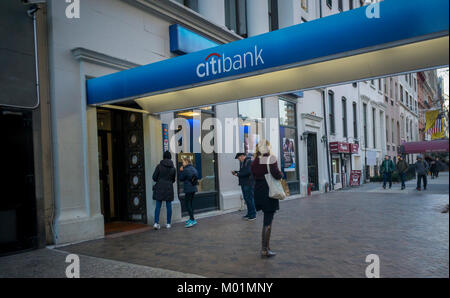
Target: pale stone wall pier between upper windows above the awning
(257,17)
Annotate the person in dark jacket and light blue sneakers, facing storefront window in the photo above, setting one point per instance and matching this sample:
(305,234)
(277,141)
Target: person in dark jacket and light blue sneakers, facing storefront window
(189,176)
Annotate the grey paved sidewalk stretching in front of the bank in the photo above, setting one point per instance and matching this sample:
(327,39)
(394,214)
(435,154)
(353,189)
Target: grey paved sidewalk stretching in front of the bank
(326,235)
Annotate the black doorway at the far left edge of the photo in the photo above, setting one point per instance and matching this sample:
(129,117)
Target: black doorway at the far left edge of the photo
(18,222)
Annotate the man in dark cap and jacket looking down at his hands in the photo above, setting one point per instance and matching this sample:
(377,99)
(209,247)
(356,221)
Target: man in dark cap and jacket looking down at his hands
(247,184)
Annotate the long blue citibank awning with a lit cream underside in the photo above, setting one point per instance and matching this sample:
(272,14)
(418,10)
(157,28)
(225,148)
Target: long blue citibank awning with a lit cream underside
(409,35)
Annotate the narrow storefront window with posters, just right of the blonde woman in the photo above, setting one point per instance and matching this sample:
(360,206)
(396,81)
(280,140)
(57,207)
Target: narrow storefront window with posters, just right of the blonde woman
(288,139)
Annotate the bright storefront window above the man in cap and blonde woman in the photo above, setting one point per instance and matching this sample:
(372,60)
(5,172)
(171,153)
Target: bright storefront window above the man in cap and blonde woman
(251,126)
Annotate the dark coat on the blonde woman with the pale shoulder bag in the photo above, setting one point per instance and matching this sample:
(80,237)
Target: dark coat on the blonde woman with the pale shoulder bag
(262,200)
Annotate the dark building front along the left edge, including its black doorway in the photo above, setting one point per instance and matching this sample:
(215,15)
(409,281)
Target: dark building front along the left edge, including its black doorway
(26,188)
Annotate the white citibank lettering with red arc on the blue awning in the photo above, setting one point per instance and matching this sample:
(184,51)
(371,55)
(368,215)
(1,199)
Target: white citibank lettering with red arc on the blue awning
(216,64)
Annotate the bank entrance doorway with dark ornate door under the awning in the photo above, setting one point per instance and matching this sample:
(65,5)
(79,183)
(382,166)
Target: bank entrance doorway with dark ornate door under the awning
(121,166)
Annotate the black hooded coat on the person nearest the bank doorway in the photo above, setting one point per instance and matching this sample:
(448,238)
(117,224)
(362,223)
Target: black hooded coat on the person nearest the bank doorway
(164,176)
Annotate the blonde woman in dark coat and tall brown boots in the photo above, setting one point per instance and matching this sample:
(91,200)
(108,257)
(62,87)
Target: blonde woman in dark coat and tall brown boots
(263,202)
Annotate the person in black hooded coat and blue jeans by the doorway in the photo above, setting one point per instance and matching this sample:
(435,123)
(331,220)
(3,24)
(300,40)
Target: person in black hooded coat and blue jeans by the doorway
(164,176)
